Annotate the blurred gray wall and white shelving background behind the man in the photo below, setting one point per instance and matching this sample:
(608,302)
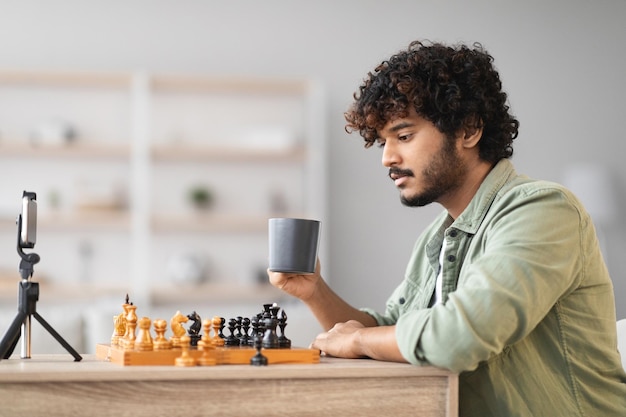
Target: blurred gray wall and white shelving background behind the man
(161,135)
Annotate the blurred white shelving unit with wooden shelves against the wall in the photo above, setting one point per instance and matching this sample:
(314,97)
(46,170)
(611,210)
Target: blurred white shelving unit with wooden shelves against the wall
(258,145)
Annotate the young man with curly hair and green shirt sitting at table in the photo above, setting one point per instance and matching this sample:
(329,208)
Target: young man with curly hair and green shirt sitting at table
(507,287)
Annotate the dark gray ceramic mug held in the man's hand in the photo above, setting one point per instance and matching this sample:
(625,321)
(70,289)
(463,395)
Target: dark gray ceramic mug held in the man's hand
(293,245)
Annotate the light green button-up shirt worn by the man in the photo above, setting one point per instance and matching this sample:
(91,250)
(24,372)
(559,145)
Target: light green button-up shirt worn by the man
(527,314)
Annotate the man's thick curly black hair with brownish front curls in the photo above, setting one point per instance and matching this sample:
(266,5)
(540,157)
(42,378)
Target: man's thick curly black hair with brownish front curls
(454,87)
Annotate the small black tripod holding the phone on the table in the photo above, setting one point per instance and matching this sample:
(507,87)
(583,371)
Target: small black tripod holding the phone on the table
(27,307)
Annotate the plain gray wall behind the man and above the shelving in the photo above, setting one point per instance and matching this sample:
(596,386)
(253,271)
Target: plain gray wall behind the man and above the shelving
(562,62)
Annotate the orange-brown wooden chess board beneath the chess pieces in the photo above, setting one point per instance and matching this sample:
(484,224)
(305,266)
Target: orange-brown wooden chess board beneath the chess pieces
(221,355)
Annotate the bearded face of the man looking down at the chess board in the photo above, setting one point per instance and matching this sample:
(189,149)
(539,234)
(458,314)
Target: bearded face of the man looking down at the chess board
(423,163)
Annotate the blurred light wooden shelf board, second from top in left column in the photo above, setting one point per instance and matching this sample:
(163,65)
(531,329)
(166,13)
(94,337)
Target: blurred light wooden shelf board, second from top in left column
(71,150)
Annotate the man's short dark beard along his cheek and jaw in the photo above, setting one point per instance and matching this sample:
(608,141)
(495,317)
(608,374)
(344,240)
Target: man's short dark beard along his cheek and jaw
(443,175)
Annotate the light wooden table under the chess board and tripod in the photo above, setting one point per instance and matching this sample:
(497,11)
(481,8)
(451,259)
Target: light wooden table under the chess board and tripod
(54,385)
